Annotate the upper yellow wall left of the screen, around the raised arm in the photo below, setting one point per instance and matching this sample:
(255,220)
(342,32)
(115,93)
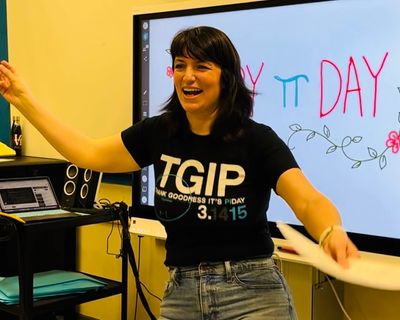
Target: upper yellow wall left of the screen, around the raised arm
(77,57)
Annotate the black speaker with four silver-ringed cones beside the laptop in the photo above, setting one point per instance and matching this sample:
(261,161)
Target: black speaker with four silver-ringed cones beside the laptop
(80,187)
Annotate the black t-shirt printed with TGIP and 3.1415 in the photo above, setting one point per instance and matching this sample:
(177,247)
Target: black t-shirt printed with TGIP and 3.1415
(211,195)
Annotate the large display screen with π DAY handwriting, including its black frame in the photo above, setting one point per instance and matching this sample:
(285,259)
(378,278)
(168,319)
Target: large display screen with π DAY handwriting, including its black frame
(327,78)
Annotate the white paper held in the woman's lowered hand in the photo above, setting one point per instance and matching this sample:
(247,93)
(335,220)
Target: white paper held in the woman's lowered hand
(362,271)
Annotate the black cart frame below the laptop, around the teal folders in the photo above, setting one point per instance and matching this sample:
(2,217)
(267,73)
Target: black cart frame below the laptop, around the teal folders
(27,308)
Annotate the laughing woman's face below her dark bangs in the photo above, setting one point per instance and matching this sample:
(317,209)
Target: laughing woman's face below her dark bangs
(197,84)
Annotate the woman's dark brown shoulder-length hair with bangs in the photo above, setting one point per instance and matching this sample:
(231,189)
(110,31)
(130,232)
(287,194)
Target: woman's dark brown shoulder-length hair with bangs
(236,101)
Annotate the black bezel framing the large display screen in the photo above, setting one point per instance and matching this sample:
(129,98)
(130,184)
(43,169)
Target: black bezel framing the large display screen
(365,242)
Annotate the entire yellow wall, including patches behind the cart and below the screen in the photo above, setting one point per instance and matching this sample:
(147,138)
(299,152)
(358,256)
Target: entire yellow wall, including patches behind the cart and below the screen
(77,57)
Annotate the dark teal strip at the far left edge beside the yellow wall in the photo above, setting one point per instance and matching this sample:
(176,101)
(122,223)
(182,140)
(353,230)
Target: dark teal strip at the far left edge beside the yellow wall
(4,109)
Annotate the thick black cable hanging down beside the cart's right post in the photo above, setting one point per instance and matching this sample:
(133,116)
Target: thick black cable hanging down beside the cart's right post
(123,209)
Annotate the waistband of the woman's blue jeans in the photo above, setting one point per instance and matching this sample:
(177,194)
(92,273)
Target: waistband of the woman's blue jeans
(222,267)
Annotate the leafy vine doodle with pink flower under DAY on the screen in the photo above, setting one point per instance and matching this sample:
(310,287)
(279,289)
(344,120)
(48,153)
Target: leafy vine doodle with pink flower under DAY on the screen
(392,143)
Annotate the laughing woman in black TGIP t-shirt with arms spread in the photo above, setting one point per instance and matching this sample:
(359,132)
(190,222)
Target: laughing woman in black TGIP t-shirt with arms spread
(214,169)
